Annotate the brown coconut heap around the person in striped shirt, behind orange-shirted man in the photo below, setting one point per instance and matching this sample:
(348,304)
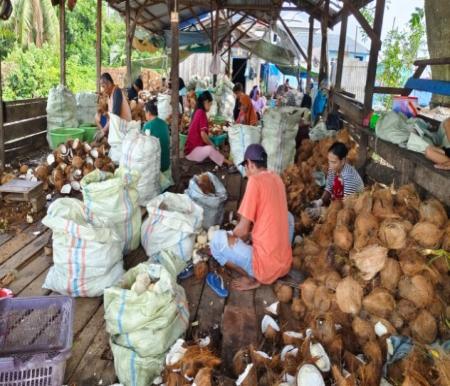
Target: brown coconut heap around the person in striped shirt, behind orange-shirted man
(299,178)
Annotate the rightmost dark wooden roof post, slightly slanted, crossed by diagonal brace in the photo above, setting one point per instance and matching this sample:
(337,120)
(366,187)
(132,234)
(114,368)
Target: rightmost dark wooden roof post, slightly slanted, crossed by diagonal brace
(373,57)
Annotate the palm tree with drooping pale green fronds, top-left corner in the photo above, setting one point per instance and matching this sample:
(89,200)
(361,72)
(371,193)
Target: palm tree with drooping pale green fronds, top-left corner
(33,22)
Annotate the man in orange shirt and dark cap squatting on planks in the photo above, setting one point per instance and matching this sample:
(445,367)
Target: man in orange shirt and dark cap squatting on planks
(263,214)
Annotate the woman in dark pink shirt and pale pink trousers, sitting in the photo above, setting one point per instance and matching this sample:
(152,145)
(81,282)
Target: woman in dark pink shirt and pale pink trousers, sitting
(198,145)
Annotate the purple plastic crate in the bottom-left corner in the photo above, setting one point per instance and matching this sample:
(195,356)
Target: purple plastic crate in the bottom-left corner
(35,340)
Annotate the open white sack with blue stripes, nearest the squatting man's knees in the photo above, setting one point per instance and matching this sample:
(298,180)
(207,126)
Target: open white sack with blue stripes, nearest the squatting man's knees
(172,223)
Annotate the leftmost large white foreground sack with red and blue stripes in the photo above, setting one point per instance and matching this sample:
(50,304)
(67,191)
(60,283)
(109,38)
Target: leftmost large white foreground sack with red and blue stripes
(87,258)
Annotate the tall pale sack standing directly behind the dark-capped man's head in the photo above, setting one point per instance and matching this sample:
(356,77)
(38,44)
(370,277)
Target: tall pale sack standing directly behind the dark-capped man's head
(278,136)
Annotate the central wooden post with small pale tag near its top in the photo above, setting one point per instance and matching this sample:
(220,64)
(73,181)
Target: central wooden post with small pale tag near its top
(174,26)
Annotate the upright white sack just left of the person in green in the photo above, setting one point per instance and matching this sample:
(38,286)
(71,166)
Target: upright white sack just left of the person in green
(142,153)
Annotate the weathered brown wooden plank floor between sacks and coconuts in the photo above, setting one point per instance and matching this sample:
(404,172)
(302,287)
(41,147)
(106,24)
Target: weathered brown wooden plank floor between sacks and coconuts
(91,362)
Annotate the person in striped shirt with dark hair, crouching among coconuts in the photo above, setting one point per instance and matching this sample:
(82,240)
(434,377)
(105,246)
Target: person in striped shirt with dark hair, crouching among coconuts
(342,180)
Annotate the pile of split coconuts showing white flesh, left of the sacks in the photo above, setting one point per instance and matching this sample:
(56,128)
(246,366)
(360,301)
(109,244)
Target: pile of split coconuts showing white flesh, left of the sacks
(69,163)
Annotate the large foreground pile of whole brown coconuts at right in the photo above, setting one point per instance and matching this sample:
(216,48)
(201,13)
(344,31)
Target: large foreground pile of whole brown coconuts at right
(378,266)
